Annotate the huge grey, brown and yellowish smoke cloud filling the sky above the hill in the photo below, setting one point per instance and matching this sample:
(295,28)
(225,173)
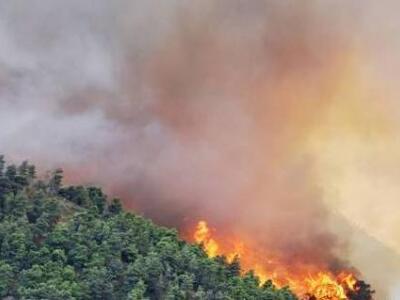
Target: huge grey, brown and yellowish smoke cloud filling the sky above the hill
(266,118)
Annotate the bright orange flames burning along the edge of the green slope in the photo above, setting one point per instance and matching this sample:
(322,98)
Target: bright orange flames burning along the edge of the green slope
(312,284)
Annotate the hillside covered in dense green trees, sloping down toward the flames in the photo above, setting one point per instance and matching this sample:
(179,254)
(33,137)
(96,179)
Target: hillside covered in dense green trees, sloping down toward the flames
(71,242)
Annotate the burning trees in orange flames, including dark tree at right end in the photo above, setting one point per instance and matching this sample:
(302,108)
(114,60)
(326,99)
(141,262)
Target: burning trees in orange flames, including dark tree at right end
(310,284)
